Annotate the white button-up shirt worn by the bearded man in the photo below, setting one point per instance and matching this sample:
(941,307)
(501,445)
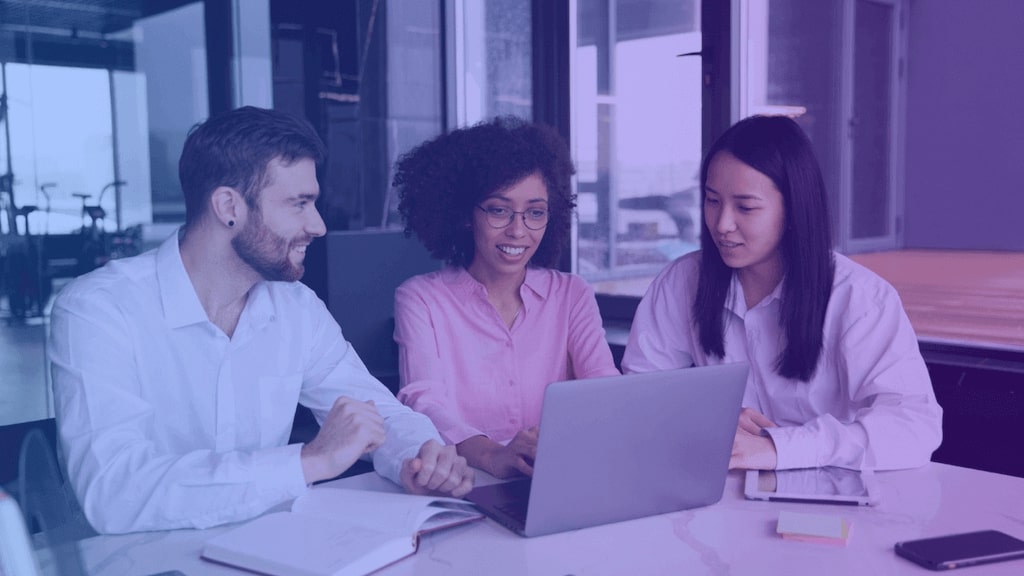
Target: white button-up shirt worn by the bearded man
(166,423)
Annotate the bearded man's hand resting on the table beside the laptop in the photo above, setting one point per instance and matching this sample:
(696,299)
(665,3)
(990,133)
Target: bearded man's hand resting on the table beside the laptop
(438,470)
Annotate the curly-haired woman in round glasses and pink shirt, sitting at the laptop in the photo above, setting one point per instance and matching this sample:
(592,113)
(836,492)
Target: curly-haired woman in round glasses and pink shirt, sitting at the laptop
(480,341)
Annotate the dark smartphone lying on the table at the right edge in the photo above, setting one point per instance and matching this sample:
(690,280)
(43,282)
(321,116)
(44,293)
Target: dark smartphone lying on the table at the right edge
(958,551)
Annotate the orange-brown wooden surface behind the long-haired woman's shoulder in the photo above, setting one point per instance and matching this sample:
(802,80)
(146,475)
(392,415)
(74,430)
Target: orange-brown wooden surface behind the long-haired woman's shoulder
(960,297)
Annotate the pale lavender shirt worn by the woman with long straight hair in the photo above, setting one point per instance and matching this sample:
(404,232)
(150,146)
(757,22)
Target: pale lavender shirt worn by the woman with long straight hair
(869,405)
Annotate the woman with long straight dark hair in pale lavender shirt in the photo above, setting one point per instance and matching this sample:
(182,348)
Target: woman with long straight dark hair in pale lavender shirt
(836,376)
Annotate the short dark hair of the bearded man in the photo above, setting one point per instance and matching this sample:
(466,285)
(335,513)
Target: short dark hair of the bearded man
(234,150)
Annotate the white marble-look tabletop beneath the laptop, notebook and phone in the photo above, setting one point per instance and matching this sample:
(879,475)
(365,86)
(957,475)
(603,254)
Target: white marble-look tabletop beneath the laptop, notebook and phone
(735,537)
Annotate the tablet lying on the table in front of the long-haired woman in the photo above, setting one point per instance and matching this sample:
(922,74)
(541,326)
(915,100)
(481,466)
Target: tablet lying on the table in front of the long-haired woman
(826,486)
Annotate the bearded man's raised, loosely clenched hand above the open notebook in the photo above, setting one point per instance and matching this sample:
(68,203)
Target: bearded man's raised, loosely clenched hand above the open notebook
(352,430)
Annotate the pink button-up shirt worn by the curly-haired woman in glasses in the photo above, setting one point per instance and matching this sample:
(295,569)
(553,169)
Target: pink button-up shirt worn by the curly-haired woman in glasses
(464,367)
